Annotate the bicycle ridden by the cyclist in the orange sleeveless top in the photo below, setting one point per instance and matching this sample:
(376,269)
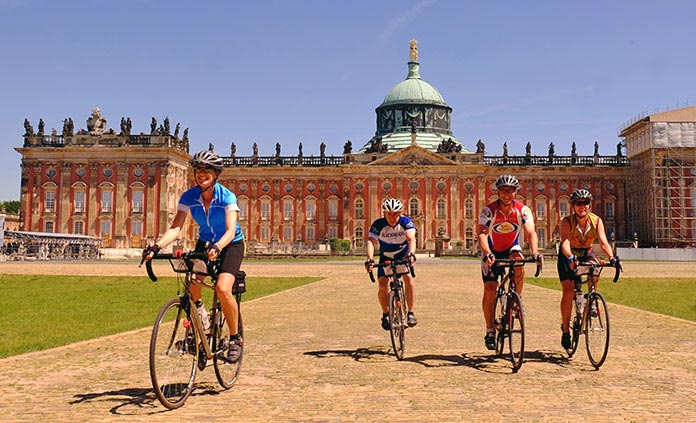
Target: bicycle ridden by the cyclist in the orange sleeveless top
(591,313)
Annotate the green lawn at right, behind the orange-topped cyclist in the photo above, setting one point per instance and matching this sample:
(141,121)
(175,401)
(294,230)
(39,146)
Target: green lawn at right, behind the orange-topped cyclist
(673,297)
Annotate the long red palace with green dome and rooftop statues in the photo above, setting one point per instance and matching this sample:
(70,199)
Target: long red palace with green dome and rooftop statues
(124,187)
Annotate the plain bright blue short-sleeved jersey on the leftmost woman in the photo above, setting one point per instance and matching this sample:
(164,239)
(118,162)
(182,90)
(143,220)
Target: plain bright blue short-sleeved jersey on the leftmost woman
(211,224)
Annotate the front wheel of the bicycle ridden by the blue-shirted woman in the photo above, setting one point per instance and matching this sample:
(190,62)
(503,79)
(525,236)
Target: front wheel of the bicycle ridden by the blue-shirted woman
(173,355)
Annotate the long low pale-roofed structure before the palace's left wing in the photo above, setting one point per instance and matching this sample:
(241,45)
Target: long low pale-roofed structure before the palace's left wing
(21,245)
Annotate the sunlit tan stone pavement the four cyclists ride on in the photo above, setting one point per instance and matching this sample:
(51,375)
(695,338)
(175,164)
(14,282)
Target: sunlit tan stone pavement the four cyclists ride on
(317,354)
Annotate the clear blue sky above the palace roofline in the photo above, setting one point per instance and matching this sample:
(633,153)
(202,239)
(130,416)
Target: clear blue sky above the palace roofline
(314,71)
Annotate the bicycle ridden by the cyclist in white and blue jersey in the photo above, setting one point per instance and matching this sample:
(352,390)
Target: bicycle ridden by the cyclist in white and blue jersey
(398,308)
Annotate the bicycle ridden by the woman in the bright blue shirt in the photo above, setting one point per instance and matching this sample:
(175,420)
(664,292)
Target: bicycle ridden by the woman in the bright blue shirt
(179,346)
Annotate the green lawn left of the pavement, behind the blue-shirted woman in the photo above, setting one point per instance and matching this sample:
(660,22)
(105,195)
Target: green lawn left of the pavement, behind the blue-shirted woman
(46,311)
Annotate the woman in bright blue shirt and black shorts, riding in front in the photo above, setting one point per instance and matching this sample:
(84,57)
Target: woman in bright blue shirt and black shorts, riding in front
(215,210)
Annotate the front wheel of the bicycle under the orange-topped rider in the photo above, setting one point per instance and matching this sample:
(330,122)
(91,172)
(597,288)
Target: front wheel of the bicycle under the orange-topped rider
(597,329)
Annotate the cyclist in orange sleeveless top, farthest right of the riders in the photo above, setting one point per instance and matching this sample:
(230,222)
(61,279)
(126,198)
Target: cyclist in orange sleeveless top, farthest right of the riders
(579,231)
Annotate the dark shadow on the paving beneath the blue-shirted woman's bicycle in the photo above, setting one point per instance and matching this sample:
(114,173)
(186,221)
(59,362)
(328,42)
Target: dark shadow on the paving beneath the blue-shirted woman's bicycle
(139,398)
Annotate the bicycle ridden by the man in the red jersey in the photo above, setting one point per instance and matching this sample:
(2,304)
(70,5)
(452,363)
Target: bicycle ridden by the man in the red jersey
(509,312)
